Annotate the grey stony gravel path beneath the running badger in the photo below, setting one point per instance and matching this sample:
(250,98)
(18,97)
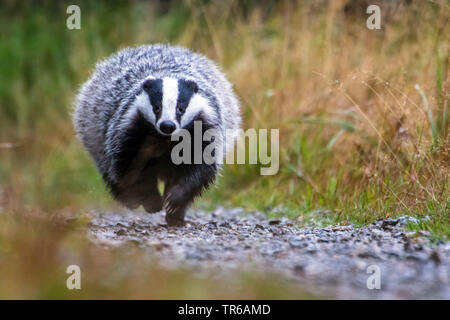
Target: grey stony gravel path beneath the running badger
(329,261)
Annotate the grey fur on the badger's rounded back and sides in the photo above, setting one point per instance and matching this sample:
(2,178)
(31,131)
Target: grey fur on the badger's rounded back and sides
(104,99)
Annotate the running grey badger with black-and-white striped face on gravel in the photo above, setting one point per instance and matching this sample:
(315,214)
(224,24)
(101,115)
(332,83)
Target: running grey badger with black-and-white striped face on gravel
(126,114)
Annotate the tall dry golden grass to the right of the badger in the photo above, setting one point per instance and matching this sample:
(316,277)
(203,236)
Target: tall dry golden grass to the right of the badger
(316,65)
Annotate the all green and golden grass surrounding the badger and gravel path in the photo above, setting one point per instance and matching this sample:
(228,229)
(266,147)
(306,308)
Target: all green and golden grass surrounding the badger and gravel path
(363,119)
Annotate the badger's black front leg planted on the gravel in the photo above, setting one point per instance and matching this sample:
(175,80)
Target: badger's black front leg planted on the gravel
(179,192)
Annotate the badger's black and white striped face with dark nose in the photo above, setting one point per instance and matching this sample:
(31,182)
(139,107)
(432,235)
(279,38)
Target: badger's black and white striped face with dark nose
(170,104)
